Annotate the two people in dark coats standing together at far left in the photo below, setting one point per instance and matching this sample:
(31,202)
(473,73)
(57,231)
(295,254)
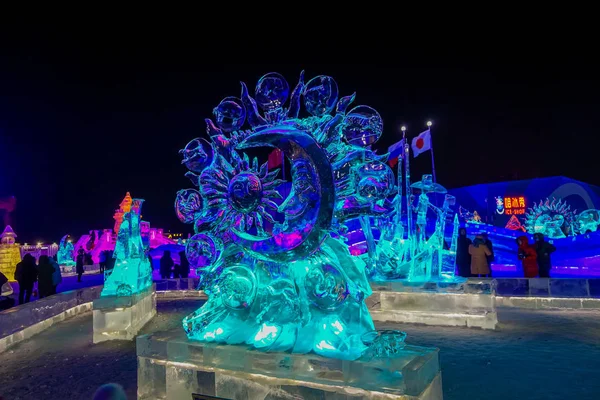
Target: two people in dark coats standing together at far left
(46,273)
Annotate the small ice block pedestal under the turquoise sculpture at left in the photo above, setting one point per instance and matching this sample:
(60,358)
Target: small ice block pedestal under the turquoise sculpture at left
(121,317)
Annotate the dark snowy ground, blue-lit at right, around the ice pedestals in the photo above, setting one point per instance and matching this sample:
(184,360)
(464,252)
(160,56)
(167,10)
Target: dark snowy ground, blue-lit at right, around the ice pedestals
(533,355)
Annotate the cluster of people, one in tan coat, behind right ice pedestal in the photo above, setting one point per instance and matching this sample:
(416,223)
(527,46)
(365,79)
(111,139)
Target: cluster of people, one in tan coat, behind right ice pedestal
(474,258)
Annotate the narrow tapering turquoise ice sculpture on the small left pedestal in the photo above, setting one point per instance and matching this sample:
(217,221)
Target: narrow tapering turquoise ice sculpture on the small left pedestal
(132,272)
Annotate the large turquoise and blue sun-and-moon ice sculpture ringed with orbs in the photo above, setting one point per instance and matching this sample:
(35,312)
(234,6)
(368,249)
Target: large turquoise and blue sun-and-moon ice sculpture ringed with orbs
(291,285)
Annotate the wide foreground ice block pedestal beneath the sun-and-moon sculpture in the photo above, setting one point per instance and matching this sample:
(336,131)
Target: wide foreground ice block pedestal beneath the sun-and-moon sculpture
(170,366)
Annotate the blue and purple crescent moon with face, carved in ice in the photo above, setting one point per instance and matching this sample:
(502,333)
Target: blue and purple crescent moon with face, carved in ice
(309,207)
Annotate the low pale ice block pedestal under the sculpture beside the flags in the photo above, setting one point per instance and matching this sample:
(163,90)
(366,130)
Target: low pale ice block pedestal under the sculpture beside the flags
(471,303)
